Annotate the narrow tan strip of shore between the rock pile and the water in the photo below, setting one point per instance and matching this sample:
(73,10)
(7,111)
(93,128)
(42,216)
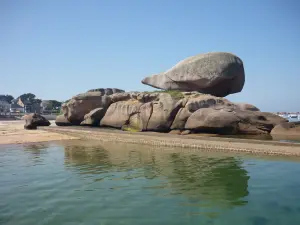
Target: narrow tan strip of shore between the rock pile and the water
(213,144)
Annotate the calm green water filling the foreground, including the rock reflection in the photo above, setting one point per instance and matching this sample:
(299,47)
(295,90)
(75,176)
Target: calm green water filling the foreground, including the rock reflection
(86,183)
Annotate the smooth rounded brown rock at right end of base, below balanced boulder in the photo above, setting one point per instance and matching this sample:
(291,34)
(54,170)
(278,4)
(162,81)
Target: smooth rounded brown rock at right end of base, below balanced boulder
(232,121)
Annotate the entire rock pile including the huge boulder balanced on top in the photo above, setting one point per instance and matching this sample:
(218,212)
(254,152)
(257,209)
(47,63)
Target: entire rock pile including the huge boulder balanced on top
(191,102)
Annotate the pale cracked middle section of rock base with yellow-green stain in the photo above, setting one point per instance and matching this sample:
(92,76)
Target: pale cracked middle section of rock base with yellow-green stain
(142,112)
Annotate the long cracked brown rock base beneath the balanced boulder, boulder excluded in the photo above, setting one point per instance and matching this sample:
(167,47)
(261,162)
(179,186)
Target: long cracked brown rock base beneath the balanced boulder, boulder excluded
(169,110)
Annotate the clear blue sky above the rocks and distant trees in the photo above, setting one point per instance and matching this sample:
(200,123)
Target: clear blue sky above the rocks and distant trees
(56,49)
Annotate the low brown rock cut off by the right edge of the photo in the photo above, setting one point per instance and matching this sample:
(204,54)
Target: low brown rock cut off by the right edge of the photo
(286,129)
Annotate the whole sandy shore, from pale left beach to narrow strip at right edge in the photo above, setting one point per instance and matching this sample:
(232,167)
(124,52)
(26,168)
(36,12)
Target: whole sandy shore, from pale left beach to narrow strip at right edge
(13,132)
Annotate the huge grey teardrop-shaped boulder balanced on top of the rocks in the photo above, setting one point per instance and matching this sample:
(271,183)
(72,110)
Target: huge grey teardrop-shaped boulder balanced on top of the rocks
(216,73)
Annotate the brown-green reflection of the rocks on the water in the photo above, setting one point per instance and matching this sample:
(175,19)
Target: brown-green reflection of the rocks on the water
(220,180)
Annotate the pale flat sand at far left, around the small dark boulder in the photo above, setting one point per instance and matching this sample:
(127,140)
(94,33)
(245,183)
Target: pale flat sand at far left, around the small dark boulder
(13,132)
